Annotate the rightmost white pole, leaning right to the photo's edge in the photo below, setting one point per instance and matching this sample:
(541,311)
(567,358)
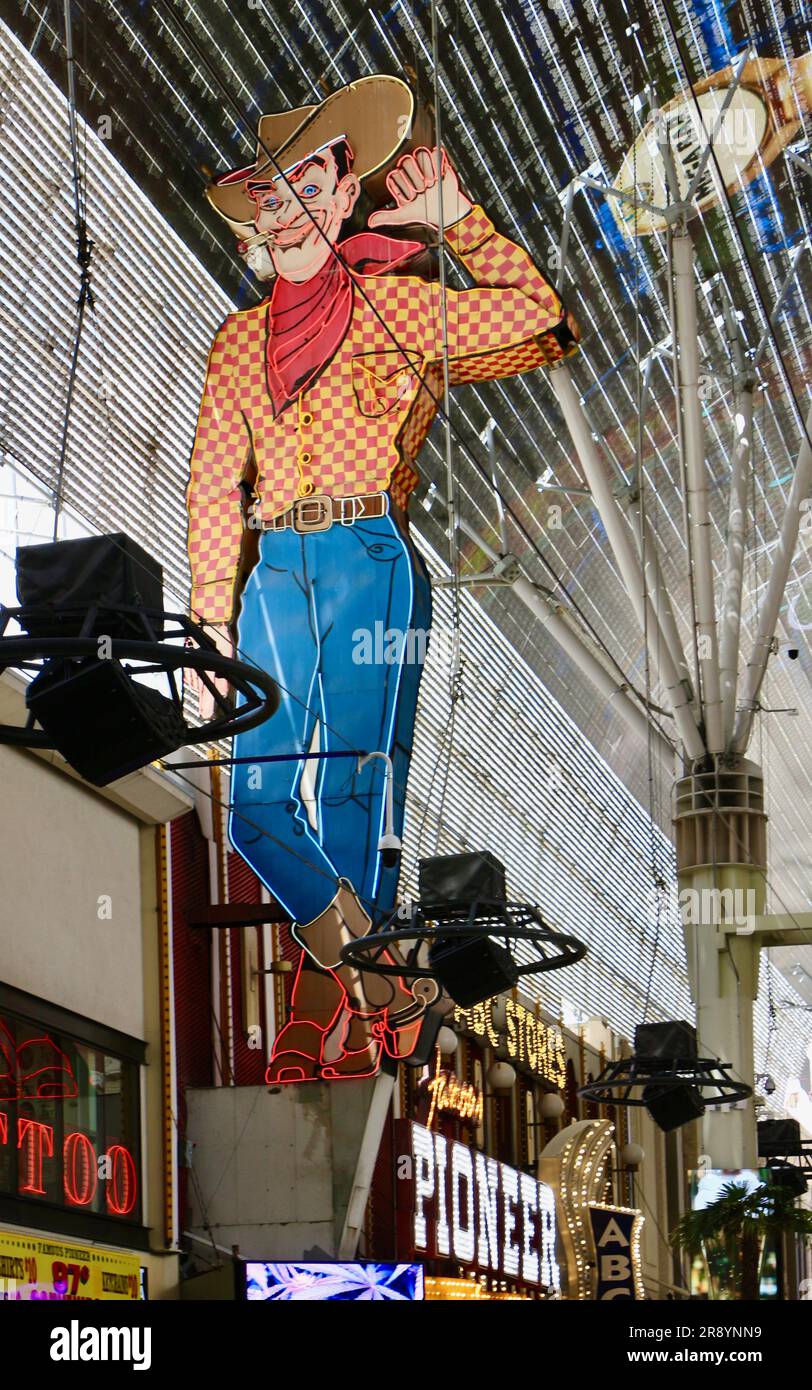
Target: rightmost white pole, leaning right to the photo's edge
(782,559)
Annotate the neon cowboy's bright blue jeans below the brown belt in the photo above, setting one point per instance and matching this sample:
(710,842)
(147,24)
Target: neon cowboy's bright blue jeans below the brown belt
(315,615)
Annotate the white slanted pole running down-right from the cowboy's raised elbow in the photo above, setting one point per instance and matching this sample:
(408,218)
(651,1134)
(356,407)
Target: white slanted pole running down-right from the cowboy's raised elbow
(625,554)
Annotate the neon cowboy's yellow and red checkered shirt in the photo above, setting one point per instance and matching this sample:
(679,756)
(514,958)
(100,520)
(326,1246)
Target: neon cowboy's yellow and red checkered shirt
(361,426)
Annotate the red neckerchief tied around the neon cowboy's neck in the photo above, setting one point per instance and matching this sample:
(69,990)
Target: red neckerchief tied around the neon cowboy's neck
(309,320)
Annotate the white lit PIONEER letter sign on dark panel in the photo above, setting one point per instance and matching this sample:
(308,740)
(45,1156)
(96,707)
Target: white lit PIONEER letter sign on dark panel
(476,1211)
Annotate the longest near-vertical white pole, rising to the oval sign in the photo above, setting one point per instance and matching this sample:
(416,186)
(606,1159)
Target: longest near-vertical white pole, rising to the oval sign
(688,344)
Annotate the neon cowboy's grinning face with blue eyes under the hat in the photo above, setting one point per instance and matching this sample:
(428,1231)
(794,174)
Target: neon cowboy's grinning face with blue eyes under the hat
(302,213)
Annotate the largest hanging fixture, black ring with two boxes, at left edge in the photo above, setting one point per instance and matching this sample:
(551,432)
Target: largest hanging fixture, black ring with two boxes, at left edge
(95,640)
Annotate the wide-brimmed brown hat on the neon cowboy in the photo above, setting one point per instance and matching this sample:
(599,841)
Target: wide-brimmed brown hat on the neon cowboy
(373,115)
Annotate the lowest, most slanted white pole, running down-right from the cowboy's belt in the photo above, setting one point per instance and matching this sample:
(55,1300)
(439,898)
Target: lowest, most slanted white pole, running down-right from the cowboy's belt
(554,618)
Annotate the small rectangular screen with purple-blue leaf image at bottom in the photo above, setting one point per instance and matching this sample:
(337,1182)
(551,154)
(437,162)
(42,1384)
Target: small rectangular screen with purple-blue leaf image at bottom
(333,1284)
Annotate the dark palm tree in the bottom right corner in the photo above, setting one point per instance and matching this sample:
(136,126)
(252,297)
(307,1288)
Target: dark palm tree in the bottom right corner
(731,1231)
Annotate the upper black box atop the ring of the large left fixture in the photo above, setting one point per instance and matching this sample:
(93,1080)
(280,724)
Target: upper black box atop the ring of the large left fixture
(72,576)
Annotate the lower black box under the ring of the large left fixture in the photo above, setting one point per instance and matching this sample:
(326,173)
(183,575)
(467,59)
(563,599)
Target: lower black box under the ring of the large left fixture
(104,723)
